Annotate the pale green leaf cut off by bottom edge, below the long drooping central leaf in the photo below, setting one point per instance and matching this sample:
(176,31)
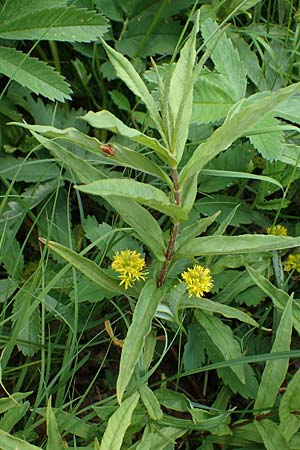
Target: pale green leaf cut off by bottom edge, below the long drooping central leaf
(118,423)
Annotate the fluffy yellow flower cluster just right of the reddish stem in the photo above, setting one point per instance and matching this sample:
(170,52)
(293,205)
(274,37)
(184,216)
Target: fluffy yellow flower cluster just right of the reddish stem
(198,280)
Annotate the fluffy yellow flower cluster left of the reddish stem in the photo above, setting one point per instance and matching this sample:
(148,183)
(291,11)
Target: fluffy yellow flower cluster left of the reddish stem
(130,265)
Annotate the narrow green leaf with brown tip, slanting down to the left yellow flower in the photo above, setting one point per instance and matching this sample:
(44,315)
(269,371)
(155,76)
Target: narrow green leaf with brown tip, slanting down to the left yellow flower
(86,266)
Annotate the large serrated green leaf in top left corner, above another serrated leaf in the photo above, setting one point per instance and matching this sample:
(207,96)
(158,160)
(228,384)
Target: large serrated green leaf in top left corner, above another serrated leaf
(57,24)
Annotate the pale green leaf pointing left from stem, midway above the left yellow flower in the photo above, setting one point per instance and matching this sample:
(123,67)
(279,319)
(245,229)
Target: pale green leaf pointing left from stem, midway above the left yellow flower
(135,190)
